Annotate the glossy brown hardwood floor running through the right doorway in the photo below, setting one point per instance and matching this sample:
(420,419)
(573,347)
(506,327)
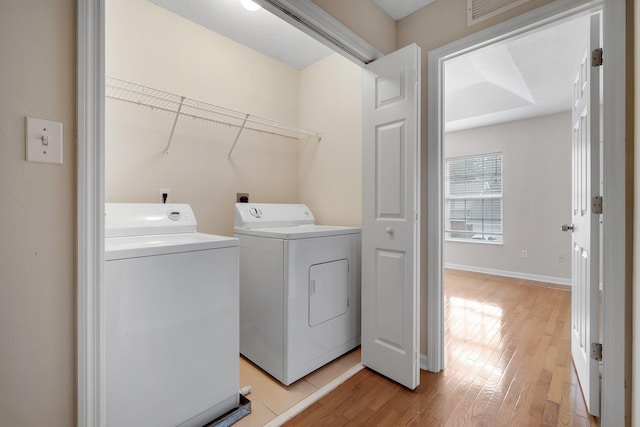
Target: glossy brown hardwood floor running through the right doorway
(508,364)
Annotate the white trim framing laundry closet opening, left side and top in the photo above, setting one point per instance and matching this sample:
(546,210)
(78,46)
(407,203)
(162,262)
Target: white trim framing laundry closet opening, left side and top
(303,14)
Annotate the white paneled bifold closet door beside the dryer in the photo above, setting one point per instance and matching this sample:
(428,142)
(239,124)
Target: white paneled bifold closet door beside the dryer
(390,219)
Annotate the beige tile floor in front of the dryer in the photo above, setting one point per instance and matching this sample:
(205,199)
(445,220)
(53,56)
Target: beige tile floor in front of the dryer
(270,398)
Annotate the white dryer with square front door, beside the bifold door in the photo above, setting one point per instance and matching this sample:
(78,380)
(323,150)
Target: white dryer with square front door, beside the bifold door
(299,289)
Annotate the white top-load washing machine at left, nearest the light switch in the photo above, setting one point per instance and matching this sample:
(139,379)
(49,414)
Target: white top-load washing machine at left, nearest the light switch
(170,318)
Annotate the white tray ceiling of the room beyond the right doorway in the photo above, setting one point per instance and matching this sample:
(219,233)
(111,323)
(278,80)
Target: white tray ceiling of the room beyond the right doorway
(527,76)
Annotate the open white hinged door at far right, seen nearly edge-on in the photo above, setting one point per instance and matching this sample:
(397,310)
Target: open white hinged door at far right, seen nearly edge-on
(585,236)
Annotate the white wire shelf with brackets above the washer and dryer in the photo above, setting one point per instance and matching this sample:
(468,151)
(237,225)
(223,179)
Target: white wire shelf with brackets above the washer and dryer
(182,106)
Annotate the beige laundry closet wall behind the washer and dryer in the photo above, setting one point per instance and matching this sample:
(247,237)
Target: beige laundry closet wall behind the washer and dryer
(145,44)
